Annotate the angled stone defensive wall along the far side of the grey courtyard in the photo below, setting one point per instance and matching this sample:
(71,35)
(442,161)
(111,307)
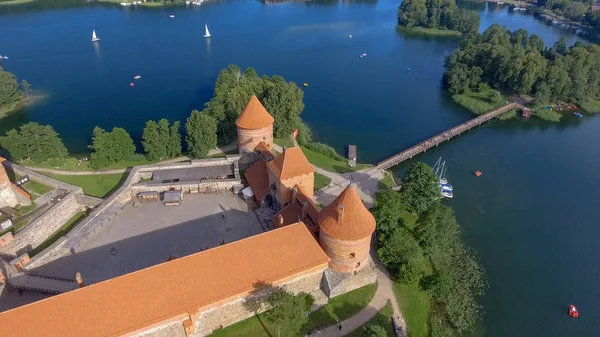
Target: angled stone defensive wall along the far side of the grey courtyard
(137,181)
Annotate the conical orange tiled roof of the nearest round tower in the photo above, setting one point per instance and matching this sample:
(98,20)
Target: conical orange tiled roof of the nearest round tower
(347,218)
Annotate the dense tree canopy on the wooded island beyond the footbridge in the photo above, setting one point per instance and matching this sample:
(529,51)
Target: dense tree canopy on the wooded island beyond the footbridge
(517,62)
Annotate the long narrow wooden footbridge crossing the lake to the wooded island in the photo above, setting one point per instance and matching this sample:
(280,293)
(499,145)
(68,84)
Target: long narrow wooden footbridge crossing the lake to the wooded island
(444,136)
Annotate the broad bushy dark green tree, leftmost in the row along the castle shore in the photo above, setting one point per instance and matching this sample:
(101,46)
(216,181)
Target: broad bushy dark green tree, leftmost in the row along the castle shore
(35,142)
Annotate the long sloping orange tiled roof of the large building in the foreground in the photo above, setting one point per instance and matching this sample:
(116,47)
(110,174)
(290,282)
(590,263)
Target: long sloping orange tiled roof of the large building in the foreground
(170,290)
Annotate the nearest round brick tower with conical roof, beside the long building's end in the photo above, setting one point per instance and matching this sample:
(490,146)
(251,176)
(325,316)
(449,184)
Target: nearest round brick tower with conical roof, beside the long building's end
(346,226)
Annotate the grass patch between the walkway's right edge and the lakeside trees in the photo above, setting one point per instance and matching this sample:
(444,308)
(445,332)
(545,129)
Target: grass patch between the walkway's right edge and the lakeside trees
(415,306)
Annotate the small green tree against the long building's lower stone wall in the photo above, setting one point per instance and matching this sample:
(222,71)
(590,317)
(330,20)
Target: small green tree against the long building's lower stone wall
(289,312)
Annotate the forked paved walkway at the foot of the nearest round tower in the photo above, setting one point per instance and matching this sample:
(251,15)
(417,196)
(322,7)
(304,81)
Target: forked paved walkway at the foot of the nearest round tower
(384,293)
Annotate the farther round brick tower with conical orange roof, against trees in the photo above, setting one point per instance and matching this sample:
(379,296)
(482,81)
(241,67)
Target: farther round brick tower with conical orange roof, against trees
(254,125)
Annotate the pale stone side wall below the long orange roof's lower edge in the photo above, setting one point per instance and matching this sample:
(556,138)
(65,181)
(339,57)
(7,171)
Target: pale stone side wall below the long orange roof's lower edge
(239,309)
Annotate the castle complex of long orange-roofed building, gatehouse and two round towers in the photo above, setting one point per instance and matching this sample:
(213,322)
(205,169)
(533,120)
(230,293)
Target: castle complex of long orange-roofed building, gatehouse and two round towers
(311,250)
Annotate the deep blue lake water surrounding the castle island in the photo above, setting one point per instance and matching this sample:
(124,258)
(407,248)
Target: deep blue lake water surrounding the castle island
(531,216)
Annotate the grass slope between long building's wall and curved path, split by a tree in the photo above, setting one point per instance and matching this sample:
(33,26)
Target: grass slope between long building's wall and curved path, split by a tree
(340,307)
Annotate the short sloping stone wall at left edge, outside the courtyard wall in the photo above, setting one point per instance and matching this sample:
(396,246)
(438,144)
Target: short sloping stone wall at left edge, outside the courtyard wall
(40,229)
